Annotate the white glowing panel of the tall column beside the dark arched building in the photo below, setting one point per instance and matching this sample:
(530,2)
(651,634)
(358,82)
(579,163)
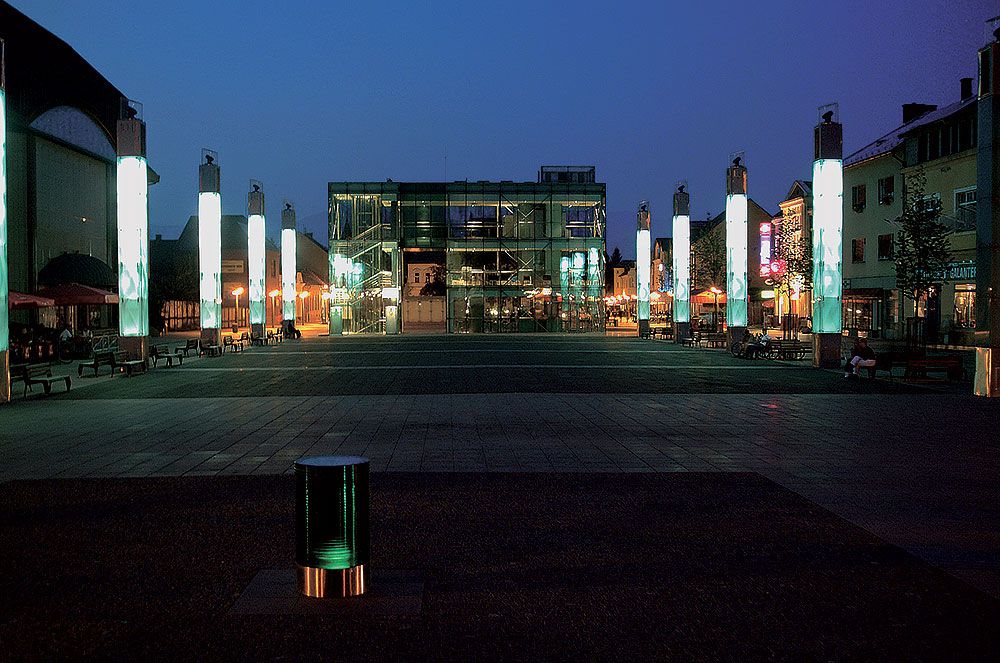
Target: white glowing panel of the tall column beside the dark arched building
(133,243)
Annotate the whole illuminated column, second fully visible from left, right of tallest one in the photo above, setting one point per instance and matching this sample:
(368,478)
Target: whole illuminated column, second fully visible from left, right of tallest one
(210,249)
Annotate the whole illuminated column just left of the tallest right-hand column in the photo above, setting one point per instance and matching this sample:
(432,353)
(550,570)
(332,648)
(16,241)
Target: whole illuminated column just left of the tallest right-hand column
(736,249)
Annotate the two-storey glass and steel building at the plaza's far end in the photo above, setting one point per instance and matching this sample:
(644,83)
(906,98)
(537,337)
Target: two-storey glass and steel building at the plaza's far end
(515,256)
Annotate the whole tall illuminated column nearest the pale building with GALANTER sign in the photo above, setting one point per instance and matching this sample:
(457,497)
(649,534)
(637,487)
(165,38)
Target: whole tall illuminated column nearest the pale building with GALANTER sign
(828,232)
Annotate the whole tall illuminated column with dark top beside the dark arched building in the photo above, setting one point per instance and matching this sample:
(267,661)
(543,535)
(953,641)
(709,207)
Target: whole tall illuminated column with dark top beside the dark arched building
(133,233)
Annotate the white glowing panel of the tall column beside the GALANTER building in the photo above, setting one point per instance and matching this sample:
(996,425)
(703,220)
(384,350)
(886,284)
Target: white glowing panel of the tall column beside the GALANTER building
(828,230)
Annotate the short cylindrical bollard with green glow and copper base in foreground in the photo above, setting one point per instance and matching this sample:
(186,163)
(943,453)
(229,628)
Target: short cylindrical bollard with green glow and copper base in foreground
(332,533)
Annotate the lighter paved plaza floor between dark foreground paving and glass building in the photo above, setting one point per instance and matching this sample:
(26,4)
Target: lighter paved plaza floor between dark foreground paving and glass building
(910,464)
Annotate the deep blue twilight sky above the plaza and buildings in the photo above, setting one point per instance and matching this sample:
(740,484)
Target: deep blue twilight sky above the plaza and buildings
(299,93)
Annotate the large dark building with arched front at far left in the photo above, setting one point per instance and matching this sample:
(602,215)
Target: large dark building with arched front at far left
(61,150)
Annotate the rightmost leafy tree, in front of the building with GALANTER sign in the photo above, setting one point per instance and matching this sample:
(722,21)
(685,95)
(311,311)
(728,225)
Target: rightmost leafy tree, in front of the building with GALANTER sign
(923,246)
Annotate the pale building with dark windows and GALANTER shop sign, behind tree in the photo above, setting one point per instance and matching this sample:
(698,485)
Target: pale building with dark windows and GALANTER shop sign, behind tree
(937,147)
